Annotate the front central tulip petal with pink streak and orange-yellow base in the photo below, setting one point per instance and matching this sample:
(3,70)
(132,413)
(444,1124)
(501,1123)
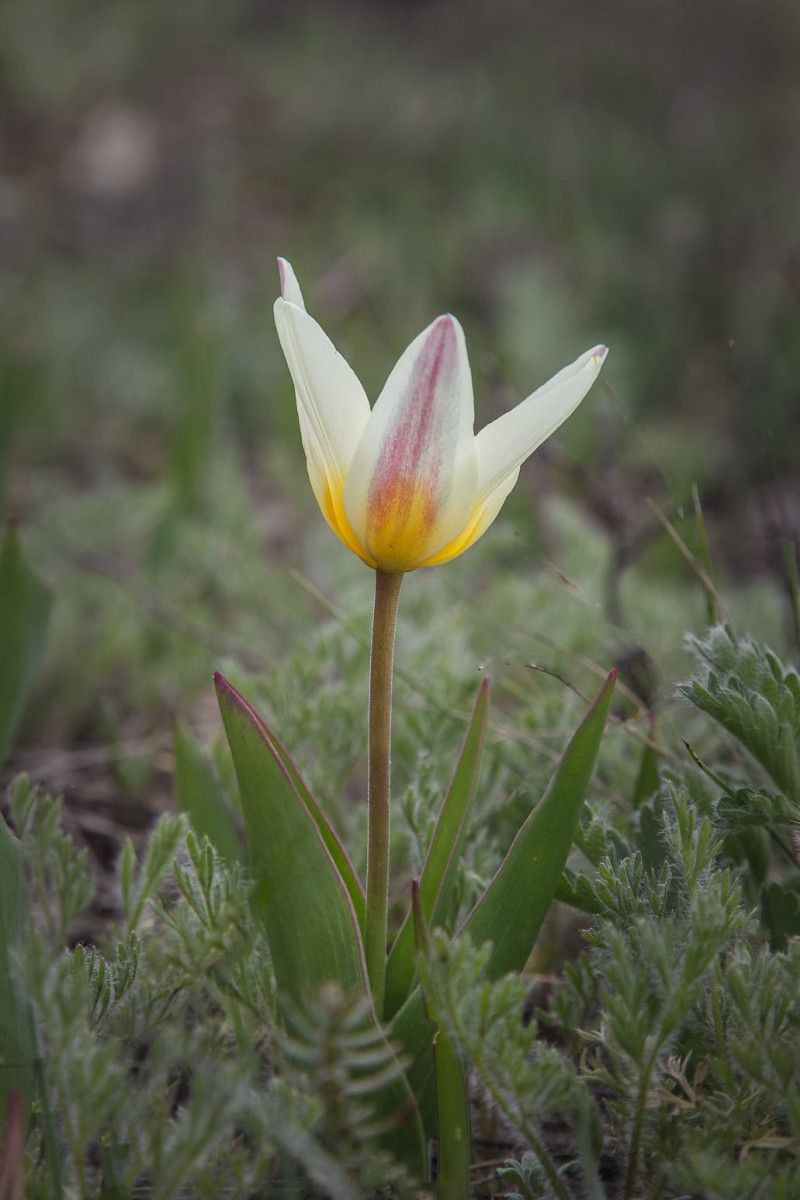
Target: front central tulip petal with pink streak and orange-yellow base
(412,482)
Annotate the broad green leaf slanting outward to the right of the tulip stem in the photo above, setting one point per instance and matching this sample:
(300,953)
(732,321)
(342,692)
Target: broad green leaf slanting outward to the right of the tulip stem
(514,907)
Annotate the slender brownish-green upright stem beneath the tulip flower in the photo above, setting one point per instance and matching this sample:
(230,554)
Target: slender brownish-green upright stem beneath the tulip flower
(388,585)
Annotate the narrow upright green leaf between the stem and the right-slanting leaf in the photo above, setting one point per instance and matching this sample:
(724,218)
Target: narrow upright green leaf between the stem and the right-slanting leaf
(437,877)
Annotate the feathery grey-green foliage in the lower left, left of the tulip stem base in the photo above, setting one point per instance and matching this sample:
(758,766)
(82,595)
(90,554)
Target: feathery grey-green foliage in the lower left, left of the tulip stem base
(160,1058)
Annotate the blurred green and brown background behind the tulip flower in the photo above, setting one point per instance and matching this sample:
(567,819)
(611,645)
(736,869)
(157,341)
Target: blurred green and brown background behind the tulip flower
(557,175)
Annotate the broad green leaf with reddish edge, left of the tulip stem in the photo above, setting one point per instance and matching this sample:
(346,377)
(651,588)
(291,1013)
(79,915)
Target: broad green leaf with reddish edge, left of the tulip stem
(309,917)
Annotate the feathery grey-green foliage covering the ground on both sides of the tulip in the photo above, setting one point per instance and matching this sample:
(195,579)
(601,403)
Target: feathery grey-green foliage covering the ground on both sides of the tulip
(665,1063)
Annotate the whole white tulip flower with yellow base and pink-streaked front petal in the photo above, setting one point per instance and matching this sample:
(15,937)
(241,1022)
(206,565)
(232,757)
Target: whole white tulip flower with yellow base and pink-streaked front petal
(408,484)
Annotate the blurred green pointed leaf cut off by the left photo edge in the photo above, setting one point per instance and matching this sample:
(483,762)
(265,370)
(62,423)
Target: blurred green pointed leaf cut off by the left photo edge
(25,616)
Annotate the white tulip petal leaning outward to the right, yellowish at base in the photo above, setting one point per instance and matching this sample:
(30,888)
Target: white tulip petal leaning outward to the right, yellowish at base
(506,445)
